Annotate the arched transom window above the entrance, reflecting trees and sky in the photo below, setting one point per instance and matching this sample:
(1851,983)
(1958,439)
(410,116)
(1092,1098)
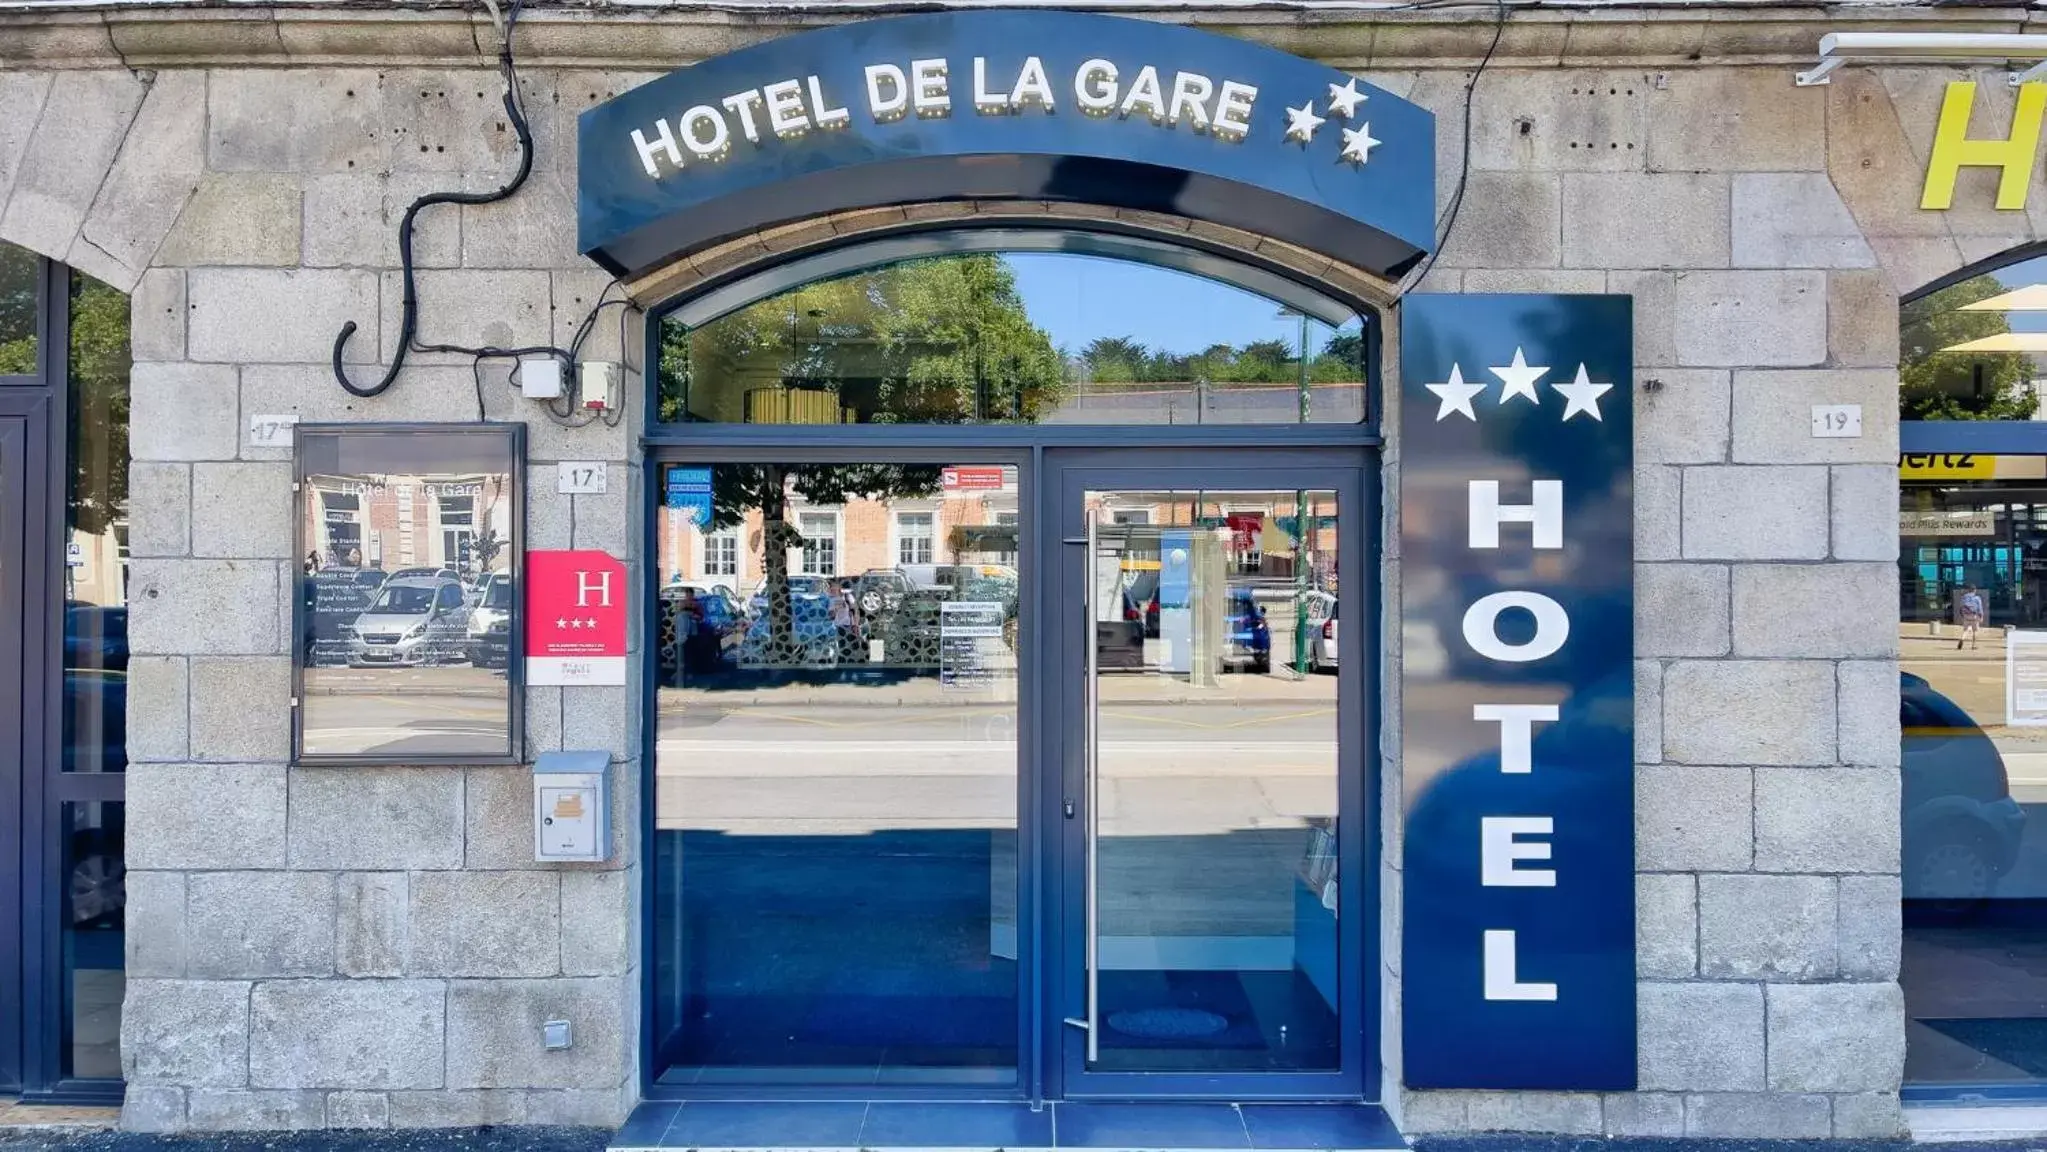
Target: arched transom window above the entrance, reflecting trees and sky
(1014,339)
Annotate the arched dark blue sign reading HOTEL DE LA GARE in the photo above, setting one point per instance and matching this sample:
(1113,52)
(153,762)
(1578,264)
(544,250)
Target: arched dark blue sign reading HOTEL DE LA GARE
(1008,105)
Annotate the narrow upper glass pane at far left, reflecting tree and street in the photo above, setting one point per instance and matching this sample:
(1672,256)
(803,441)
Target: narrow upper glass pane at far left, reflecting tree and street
(95,543)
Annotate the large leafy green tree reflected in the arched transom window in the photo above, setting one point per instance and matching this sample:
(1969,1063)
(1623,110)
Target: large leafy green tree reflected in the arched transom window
(941,341)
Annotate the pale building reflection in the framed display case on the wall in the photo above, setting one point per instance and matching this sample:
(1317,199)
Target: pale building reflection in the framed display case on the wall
(419,521)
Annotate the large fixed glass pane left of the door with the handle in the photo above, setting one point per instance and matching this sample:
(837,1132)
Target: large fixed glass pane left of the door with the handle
(836,777)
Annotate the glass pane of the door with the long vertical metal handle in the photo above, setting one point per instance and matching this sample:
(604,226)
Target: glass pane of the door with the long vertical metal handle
(1215,781)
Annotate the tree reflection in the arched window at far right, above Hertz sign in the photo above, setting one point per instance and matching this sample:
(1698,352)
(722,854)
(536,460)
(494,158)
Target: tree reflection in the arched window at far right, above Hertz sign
(1960,386)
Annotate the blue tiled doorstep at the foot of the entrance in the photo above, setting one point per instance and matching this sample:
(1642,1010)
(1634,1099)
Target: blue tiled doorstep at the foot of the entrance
(709,1126)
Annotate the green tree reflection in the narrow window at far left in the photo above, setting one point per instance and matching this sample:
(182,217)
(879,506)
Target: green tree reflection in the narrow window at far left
(99,404)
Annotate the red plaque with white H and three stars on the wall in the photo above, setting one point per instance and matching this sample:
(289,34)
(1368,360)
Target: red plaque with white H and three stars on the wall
(576,619)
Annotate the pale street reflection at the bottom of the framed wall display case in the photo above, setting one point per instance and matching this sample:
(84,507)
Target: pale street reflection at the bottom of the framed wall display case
(419,711)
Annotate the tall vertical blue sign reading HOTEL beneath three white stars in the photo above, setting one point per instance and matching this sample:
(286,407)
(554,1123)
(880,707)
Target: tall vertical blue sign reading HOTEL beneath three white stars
(1518,717)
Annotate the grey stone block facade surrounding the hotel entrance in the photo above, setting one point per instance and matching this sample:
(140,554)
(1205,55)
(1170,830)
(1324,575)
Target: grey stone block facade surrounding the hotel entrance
(290,971)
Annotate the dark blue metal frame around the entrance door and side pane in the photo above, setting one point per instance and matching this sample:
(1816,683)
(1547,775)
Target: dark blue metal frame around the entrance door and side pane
(1049,946)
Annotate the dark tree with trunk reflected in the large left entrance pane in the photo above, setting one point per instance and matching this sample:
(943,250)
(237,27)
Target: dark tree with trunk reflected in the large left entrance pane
(738,490)
